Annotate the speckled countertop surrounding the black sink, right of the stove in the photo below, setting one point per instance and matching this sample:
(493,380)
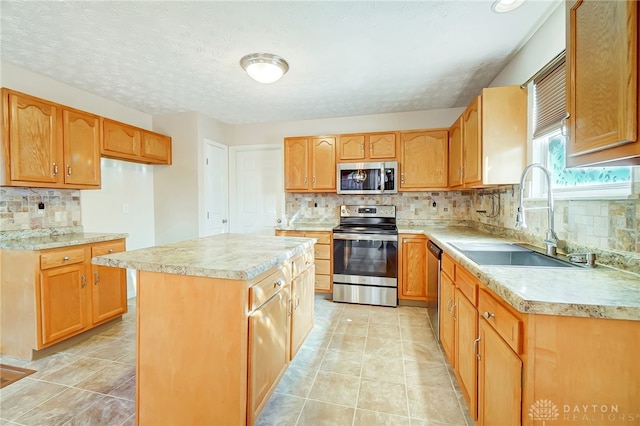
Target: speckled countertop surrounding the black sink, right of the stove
(580,292)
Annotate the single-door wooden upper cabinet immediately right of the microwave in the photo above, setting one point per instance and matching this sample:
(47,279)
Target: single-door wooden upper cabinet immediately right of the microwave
(423,160)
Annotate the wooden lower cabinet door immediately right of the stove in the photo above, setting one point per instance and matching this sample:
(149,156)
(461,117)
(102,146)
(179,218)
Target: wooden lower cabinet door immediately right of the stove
(412,270)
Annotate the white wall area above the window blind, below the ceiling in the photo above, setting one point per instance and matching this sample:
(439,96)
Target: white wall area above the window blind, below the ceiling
(541,48)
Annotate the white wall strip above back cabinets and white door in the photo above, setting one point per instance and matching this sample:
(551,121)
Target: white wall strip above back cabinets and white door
(274,133)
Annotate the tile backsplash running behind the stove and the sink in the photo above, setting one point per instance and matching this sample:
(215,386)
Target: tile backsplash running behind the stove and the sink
(581,225)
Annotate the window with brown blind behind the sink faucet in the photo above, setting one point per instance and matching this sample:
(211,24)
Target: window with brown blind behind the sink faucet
(549,146)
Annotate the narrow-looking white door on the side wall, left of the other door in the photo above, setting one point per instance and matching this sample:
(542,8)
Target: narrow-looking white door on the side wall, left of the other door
(216,184)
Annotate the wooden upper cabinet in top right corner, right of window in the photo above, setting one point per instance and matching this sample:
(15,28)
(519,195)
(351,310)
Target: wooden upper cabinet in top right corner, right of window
(602,83)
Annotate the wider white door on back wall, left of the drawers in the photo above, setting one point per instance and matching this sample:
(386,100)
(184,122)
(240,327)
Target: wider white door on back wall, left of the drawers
(257,188)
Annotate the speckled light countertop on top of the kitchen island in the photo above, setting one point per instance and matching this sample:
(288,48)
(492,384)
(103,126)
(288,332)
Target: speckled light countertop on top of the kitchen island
(229,256)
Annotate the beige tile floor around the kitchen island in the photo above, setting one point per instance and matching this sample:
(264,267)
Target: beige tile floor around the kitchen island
(361,365)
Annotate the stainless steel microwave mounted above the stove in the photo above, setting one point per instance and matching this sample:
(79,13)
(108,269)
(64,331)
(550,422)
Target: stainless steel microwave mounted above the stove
(368,178)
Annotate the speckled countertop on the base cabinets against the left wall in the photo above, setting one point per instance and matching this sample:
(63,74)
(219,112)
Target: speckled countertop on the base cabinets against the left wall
(57,241)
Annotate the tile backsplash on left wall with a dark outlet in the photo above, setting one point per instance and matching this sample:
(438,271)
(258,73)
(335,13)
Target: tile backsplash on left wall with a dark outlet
(19,210)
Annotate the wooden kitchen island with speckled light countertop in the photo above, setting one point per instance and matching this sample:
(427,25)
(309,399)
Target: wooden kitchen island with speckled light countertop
(218,320)
